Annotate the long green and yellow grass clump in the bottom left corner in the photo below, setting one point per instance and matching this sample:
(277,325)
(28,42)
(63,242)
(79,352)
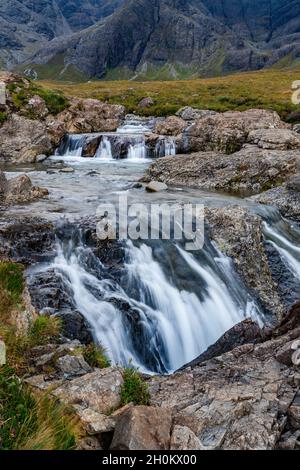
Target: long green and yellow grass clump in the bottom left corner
(29,422)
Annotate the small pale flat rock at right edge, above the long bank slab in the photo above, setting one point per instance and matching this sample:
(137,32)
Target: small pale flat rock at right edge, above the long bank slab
(275,139)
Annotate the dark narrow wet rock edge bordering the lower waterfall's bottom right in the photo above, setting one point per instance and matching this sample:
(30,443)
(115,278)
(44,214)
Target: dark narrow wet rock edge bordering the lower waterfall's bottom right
(246,332)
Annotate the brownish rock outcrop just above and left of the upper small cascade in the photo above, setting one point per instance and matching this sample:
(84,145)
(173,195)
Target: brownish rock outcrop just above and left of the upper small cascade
(89,115)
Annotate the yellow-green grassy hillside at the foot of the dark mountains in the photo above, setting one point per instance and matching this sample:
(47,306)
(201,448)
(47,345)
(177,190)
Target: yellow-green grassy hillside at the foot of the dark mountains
(264,89)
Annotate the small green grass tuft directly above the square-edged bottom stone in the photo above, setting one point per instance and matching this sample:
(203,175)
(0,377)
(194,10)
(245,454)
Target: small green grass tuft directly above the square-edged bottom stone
(134,389)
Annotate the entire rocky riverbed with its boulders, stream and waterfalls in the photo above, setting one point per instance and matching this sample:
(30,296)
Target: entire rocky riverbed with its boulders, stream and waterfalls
(215,333)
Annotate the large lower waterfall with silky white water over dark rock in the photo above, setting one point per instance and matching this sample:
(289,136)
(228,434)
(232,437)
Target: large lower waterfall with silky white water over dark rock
(156,317)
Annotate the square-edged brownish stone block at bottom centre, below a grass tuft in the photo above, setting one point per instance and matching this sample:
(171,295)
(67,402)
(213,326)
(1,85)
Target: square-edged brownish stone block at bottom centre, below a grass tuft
(143,428)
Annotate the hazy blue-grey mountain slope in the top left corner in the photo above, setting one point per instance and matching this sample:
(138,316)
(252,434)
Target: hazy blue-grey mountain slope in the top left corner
(25,25)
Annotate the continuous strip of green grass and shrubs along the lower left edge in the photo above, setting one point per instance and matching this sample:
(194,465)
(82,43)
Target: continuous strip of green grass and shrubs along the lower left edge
(27,421)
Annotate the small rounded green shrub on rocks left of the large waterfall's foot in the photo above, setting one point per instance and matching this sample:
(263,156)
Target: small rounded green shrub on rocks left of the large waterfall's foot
(44,330)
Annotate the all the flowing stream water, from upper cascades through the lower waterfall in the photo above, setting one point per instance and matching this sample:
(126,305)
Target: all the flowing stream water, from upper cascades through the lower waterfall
(168,305)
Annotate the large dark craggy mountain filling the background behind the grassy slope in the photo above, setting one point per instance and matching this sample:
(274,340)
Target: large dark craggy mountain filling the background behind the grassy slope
(168,38)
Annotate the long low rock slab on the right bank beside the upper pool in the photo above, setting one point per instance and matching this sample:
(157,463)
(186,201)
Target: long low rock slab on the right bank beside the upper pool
(251,170)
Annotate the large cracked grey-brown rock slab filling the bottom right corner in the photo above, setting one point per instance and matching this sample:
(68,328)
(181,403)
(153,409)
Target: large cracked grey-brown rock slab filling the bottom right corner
(242,400)
